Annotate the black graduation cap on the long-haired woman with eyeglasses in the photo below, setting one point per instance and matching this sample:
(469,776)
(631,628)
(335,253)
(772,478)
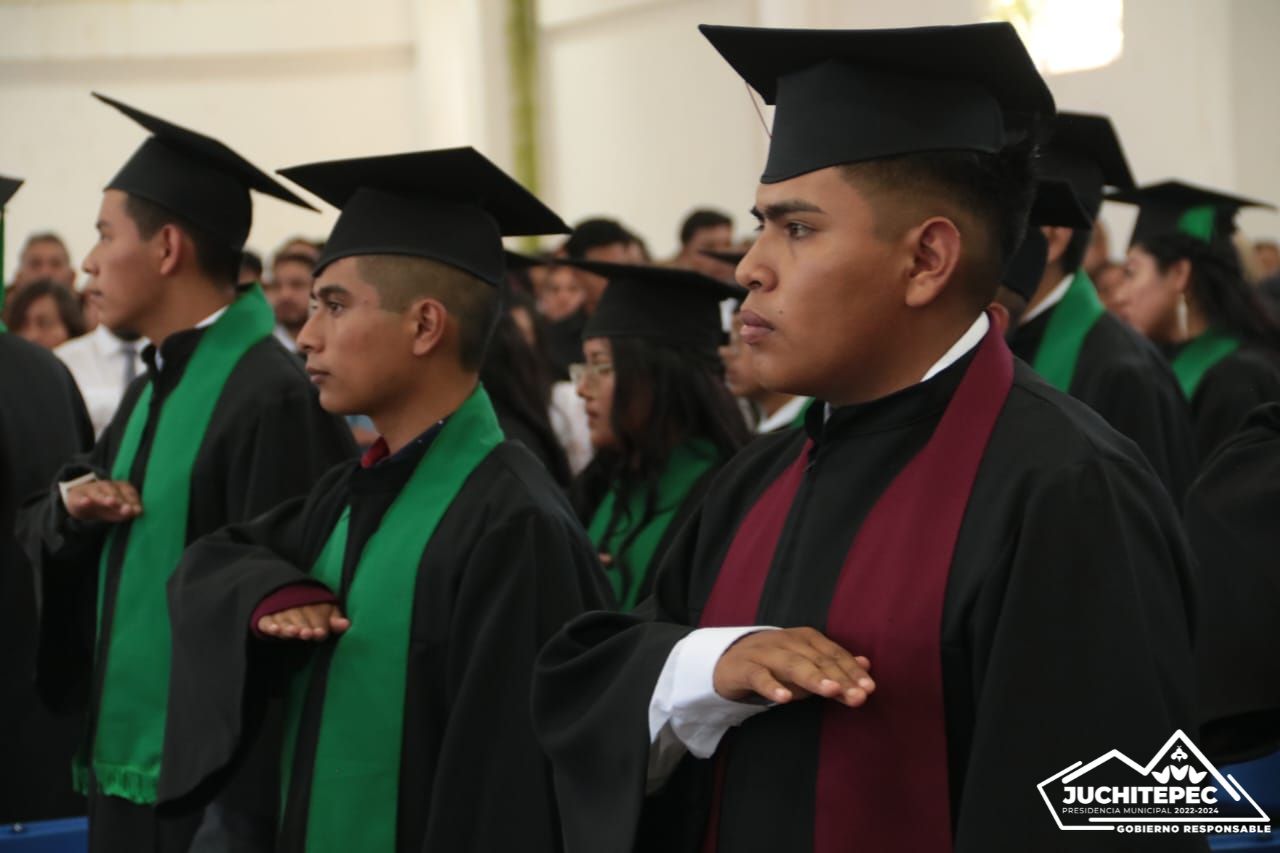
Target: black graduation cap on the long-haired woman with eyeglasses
(661,303)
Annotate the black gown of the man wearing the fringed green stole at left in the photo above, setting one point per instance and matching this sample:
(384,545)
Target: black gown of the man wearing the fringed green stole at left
(268,441)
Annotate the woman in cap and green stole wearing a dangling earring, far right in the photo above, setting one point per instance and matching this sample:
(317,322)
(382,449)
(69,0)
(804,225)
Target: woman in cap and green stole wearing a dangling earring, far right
(1185,290)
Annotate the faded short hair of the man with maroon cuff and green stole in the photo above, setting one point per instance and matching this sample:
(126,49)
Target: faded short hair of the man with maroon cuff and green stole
(403,280)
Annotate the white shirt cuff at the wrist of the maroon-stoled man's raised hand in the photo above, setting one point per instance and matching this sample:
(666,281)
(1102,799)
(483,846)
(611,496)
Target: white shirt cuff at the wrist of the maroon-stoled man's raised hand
(685,701)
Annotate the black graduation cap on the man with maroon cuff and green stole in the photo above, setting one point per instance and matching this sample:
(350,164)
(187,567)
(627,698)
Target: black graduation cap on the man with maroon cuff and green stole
(451,206)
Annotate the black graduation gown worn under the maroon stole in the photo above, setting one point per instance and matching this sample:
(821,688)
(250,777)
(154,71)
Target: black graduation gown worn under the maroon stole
(1066,632)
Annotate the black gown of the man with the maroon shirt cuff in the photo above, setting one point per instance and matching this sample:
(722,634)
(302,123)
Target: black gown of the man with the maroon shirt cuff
(508,567)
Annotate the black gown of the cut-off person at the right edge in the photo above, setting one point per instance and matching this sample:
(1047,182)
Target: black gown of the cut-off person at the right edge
(1233,522)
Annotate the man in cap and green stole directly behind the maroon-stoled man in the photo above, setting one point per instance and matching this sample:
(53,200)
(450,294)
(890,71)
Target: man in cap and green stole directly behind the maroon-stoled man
(1071,339)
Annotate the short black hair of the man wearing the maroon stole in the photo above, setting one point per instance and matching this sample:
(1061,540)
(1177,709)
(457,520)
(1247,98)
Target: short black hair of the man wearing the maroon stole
(994,191)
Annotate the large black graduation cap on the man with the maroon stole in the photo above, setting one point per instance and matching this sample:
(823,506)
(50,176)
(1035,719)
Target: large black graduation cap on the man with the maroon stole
(856,95)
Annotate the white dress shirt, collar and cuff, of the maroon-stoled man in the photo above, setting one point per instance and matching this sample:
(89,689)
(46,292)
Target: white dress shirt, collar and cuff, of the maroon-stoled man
(685,711)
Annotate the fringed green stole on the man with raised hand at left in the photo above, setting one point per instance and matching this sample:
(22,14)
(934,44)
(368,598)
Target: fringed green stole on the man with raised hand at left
(130,727)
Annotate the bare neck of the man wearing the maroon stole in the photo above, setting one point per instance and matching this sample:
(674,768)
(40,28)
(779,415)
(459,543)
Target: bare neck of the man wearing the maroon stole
(920,345)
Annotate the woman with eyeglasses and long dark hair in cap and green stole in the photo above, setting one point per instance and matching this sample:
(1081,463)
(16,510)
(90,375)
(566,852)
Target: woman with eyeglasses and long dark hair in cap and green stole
(661,419)
